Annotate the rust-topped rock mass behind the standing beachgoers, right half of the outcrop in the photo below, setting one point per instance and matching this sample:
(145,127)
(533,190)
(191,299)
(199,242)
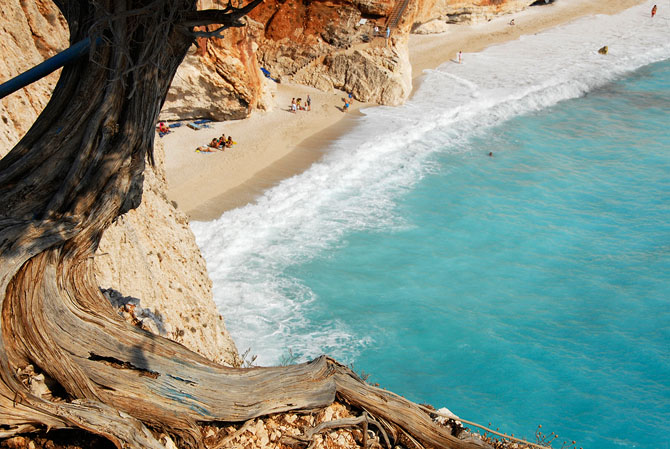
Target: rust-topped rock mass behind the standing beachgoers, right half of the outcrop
(333,45)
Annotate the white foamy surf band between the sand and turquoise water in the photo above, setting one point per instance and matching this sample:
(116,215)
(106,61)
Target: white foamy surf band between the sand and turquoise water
(248,249)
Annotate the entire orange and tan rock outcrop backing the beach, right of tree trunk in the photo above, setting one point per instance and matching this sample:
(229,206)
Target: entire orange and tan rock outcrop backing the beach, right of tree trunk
(321,43)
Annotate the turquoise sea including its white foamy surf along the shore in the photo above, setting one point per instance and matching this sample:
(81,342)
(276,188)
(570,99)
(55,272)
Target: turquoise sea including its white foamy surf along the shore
(530,287)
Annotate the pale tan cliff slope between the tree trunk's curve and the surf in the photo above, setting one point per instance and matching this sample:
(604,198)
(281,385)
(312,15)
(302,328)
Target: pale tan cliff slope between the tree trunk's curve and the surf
(150,255)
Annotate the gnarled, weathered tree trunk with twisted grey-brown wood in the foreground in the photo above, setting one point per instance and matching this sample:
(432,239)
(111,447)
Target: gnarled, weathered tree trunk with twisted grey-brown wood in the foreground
(77,169)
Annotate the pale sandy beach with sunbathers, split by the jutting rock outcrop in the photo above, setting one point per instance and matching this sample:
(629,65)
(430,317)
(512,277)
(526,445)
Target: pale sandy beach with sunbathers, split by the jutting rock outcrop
(276,144)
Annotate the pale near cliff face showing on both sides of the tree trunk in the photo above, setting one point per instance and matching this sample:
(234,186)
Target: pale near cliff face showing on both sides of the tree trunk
(148,259)
